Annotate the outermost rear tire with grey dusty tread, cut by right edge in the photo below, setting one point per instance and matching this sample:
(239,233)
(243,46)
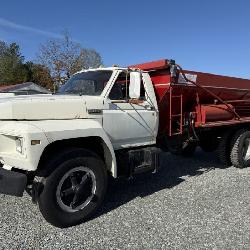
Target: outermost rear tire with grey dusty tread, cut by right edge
(240,144)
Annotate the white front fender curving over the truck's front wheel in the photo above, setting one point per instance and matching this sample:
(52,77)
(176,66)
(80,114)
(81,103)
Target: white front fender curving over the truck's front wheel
(49,131)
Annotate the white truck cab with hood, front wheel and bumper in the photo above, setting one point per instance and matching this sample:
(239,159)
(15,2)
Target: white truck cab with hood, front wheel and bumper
(61,147)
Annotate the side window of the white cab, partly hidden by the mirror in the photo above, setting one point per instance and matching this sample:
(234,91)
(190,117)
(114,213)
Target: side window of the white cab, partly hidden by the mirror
(120,89)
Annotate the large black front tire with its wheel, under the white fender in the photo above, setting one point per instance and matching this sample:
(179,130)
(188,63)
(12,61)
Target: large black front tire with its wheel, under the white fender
(51,204)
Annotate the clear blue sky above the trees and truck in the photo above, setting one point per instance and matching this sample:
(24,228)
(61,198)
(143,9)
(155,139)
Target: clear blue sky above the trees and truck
(208,36)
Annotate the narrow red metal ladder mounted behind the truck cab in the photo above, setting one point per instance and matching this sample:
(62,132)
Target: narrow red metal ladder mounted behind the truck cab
(175,117)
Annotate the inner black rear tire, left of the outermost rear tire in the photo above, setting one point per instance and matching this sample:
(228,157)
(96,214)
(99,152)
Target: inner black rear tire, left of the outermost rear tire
(224,148)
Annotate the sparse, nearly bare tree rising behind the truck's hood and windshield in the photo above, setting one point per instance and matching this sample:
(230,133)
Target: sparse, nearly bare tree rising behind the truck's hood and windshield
(64,57)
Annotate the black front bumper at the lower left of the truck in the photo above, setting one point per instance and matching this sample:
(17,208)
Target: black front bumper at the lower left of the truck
(12,183)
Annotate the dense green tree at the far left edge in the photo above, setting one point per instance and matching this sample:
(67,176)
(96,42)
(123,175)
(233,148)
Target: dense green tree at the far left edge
(12,69)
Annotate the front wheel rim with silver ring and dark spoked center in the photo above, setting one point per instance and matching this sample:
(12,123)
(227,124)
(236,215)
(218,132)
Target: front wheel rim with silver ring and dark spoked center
(76,189)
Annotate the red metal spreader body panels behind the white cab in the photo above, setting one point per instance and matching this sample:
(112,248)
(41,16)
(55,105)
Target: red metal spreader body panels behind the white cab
(194,99)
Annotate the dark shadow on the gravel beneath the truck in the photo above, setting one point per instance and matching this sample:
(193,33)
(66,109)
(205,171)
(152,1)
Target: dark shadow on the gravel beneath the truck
(174,170)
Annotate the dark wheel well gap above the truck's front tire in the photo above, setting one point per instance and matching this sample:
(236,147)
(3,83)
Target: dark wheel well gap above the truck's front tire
(93,143)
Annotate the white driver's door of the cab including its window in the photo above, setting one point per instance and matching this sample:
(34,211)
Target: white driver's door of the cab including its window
(129,122)
